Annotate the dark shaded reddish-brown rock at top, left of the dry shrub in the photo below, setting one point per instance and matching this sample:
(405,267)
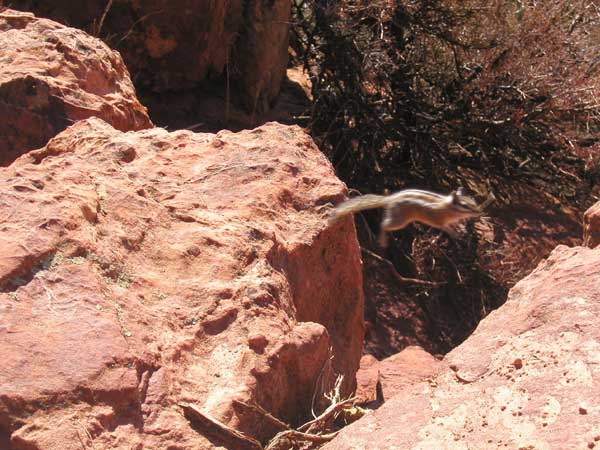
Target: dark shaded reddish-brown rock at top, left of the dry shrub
(177,45)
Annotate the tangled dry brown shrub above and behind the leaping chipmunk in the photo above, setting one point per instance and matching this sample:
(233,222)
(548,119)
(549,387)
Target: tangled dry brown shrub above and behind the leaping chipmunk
(419,92)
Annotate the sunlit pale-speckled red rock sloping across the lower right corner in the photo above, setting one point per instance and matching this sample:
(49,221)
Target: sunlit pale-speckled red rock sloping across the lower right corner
(527,378)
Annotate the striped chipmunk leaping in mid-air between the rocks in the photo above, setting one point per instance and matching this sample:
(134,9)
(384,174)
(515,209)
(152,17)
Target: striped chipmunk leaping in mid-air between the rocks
(413,205)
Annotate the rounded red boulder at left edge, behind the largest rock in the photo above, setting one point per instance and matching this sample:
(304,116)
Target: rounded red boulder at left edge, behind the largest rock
(52,76)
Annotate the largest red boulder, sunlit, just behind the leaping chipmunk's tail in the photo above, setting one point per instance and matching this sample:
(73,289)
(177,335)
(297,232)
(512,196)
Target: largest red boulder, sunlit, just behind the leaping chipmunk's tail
(144,270)
